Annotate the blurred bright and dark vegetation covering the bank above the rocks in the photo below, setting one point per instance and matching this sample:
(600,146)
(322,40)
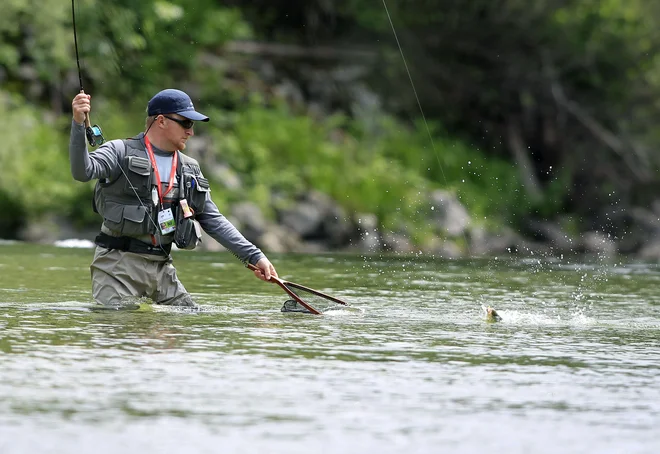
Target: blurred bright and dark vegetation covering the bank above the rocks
(478,67)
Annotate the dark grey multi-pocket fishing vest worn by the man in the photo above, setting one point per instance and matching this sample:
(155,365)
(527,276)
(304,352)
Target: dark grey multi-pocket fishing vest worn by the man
(126,203)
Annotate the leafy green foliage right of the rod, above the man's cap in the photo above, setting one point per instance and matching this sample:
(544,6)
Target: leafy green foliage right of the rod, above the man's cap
(148,45)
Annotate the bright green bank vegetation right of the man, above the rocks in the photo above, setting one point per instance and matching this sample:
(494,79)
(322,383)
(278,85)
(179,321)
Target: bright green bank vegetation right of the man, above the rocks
(389,172)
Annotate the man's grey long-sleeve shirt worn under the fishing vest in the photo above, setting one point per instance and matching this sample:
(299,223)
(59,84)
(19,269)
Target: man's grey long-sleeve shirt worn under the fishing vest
(104,164)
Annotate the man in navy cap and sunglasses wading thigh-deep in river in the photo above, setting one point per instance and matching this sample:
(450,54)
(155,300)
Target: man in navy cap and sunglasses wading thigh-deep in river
(150,195)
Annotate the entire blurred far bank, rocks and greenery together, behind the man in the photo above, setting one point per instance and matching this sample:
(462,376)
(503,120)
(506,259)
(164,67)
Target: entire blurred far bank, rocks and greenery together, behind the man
(539,133)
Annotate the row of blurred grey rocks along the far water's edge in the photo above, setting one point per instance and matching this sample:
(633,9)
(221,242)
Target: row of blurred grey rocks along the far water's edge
(317,224)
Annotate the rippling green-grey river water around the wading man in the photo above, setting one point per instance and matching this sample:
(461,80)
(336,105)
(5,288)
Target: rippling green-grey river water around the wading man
(573,367)
